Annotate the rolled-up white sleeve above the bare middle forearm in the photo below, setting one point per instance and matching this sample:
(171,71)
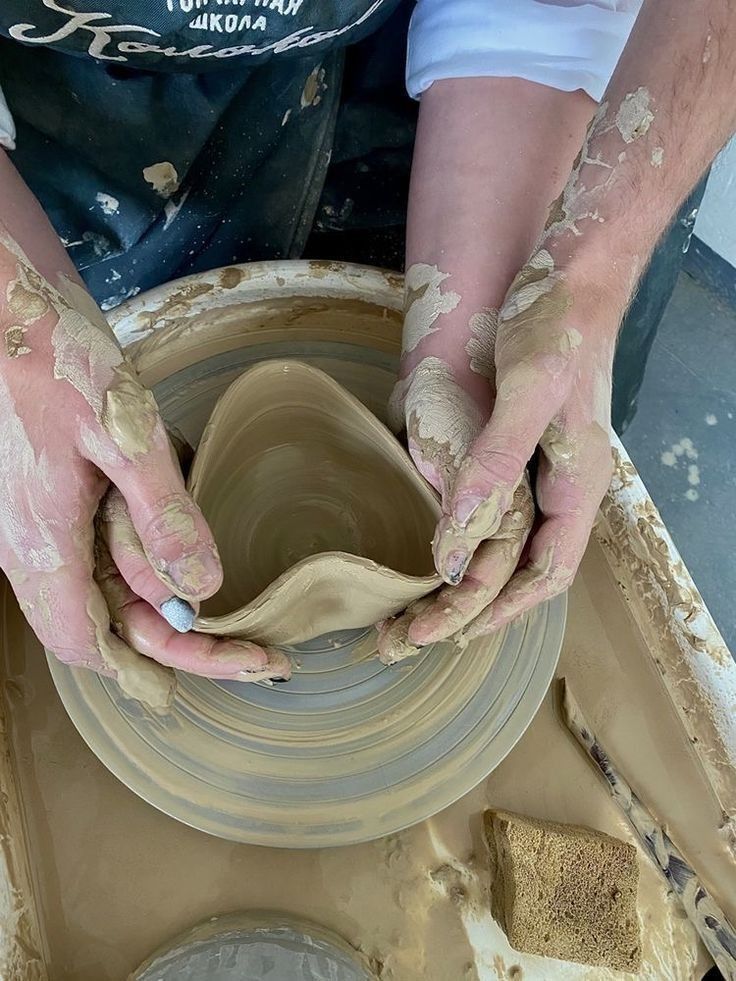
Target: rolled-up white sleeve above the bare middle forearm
(565,44)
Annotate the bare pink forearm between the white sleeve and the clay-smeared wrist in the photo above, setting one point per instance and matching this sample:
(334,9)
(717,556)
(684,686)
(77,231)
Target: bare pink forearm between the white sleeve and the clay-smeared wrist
(491,155)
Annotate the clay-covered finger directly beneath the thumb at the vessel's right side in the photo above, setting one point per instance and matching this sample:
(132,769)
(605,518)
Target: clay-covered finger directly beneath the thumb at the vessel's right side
(492,566)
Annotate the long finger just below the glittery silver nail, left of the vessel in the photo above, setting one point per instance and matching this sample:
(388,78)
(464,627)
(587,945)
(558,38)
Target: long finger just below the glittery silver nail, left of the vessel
(146,631)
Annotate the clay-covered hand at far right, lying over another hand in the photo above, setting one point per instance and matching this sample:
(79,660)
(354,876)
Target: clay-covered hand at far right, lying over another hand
(553,349)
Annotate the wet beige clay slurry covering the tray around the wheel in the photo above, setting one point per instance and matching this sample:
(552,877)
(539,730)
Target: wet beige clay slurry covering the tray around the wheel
(417,901)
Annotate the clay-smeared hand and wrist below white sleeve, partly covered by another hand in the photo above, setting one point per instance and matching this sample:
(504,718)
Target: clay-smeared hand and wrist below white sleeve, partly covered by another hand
(443,401)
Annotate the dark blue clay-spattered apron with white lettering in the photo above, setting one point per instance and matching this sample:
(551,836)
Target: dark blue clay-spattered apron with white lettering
(165,137)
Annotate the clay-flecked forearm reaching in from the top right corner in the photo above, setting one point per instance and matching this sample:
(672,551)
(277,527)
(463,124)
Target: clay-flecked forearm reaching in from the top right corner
(668,109)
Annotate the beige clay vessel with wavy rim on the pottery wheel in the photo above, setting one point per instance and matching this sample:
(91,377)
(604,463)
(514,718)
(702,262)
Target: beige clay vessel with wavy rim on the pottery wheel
(321,520)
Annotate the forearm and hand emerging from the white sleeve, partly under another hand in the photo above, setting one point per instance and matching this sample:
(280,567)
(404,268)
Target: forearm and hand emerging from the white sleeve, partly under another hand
(491,153)
